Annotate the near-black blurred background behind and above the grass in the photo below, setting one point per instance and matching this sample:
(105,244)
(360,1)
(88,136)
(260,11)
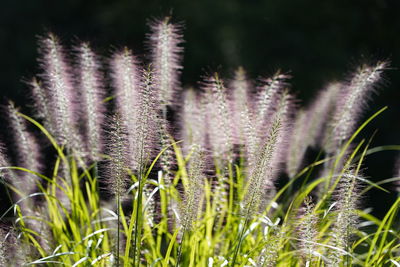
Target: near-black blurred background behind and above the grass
(316,41)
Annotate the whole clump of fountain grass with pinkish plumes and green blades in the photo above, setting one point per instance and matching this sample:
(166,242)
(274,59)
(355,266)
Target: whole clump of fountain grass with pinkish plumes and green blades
(124,182)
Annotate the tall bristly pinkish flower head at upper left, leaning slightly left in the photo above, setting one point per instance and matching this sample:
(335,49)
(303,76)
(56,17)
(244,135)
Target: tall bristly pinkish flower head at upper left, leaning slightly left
(59,90)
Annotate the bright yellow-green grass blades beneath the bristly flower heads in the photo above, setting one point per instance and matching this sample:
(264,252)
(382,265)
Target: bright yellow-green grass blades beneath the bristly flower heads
(81,231)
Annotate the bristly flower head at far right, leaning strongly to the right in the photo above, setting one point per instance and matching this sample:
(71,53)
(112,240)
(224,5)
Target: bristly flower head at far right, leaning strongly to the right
(351,103)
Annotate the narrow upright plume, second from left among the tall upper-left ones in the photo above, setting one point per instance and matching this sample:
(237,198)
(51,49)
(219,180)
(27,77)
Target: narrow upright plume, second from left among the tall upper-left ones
(91,94)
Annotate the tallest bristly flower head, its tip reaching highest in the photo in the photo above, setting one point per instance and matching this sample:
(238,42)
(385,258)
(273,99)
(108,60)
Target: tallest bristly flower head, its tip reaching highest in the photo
(165,41)
